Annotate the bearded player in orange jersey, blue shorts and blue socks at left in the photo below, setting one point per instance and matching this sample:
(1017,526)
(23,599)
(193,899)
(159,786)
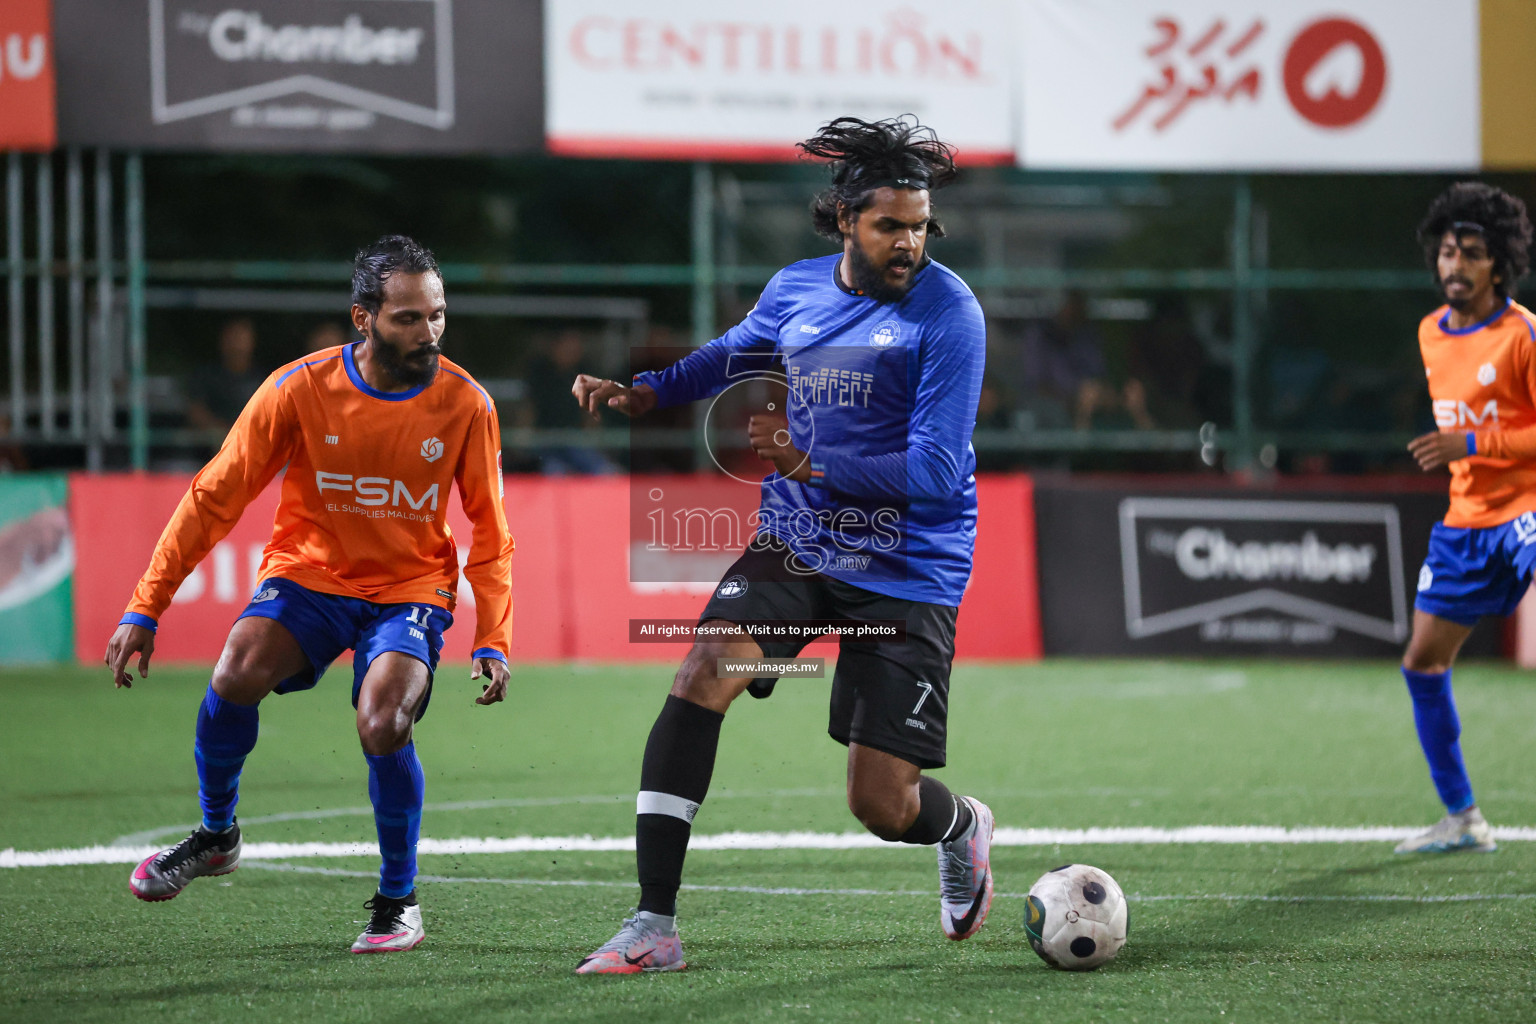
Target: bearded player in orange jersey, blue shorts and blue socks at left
(374,435)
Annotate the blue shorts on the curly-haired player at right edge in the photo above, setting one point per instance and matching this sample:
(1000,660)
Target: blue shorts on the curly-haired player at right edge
(1474,573)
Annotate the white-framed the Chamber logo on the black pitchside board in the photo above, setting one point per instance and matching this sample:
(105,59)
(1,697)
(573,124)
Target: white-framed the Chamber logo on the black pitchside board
(1262,572)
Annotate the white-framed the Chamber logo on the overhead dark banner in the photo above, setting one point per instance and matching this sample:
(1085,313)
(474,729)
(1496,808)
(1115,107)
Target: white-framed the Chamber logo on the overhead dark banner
(303,65)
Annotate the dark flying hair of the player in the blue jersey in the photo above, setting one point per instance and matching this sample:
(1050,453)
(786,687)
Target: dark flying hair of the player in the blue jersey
(867,156)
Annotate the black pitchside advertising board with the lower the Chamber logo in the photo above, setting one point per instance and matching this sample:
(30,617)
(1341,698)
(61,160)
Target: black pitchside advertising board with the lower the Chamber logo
(1157,573)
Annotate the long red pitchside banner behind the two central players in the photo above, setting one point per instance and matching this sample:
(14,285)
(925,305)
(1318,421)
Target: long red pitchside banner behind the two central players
(572,578)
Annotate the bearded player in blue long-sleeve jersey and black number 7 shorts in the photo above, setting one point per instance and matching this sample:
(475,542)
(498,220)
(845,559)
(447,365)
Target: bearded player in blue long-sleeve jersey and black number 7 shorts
(869,518)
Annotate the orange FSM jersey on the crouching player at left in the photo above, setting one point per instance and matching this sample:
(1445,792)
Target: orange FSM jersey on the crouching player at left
(363,509)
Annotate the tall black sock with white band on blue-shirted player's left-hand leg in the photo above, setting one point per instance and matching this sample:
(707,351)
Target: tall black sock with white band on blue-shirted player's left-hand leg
(675,776)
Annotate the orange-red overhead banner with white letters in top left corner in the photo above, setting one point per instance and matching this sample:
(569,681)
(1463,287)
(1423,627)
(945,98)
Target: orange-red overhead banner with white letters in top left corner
(27,76)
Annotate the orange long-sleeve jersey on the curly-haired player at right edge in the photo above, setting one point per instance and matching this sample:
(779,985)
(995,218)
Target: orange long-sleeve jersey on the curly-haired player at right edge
(1483,382)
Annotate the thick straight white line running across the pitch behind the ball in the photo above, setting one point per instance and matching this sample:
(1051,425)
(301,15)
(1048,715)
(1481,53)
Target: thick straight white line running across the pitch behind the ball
(1243,834)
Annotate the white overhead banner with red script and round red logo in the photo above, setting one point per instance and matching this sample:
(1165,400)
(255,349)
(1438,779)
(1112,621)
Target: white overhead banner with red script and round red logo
(1226,85)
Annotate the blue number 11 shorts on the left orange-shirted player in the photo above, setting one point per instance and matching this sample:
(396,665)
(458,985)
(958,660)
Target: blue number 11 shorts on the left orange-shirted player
(326,626)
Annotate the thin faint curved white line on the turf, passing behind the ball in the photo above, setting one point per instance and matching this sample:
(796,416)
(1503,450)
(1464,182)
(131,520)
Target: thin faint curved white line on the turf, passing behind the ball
(925,894)
